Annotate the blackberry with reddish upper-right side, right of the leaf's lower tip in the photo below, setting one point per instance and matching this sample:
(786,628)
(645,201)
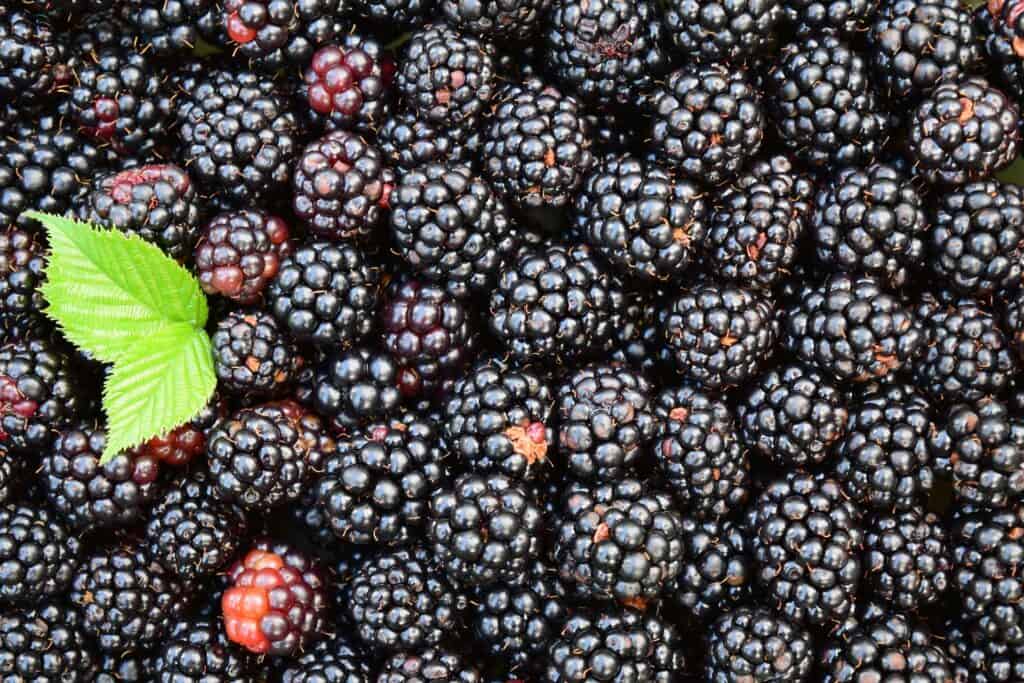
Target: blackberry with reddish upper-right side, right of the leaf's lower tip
(262,457)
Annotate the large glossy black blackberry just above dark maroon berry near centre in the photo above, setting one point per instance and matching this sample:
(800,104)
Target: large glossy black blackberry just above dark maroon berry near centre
(450,227)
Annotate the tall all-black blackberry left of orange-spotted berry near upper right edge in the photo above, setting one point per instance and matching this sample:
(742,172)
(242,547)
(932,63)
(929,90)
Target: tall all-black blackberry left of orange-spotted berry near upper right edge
(824,105)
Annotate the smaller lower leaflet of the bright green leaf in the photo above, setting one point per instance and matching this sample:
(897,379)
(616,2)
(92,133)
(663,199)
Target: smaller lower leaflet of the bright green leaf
(161,386)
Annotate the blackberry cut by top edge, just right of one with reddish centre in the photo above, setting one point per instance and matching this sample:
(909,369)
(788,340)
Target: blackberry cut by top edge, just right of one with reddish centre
(723,31)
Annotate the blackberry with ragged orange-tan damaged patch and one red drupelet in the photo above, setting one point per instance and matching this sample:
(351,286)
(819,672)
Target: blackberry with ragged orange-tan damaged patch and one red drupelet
(500,418)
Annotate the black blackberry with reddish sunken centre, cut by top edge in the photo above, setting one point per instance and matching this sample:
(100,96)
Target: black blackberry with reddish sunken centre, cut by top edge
(606,52)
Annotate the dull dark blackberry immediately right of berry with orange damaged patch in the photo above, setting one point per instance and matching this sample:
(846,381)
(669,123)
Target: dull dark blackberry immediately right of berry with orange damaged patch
(607,421)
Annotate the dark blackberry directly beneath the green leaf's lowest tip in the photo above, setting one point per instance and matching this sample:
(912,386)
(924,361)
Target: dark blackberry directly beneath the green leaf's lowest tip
(89,495)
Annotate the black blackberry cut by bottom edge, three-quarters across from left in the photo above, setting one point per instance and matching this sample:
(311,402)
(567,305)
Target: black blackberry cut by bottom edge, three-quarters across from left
(758,646)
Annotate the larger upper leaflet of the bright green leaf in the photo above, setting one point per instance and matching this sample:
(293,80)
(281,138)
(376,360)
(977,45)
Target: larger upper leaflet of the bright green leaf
(109,290)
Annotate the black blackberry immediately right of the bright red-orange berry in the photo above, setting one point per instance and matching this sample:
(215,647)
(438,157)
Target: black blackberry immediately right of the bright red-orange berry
(399,603)
